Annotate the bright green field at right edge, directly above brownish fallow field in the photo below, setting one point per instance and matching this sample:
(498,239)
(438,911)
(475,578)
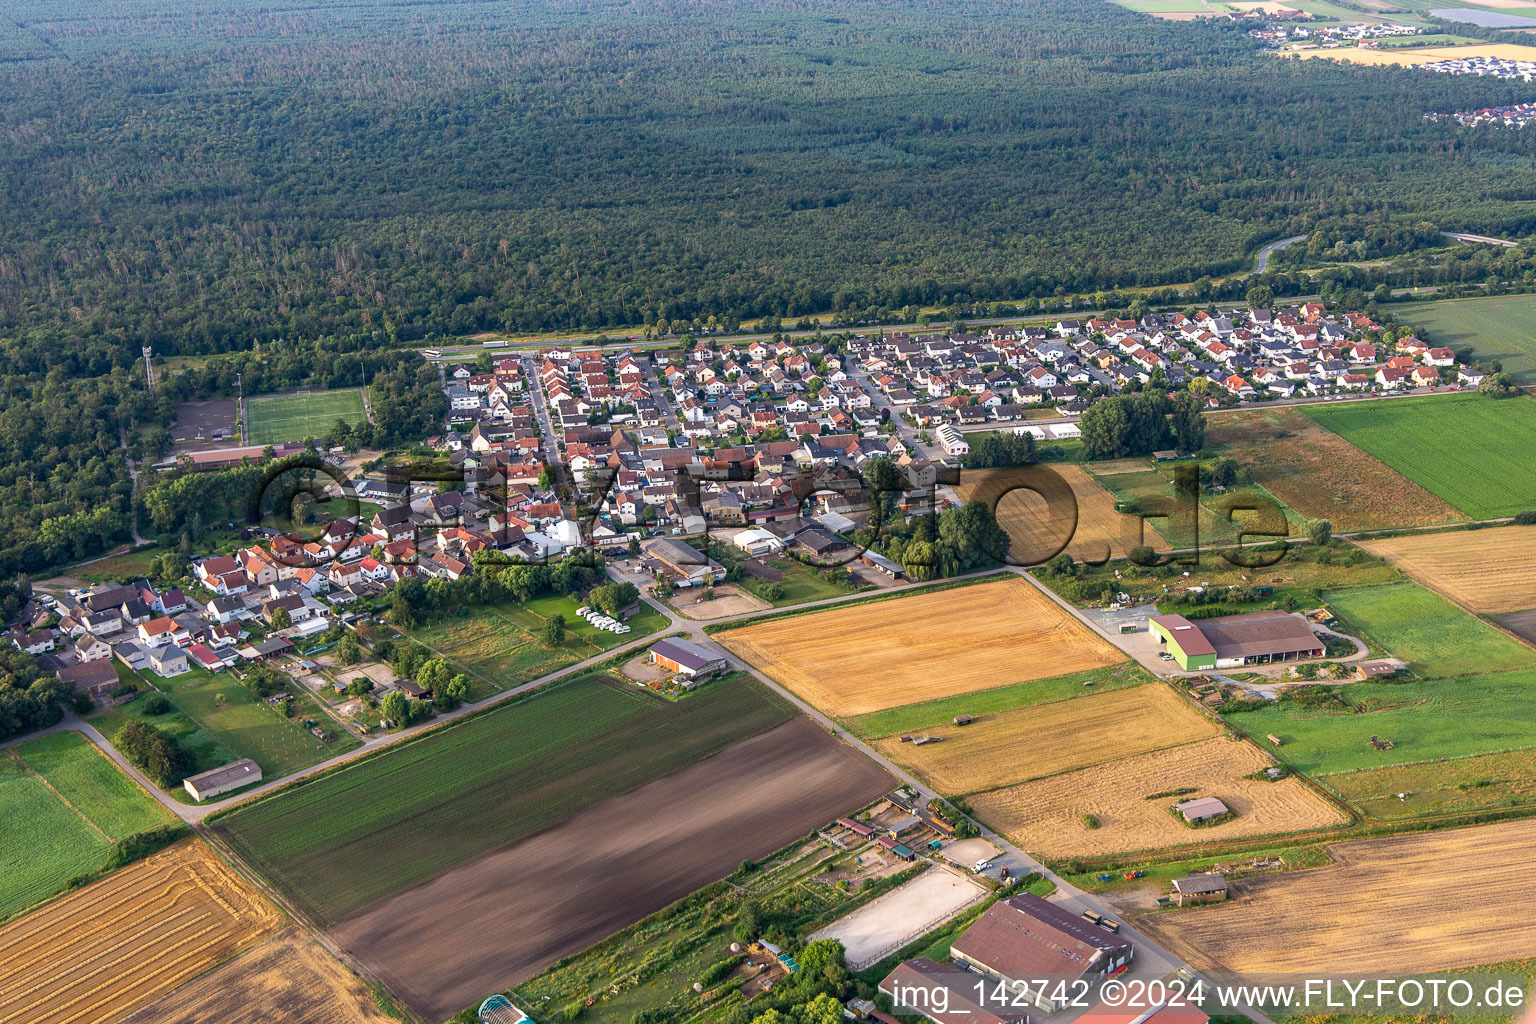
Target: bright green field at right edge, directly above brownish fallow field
(1466,449)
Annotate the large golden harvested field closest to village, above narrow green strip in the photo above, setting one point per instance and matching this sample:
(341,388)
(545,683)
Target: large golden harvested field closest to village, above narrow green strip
(907,650)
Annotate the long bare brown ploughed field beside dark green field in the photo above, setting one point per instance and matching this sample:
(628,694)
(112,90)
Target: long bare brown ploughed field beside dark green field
(508,916)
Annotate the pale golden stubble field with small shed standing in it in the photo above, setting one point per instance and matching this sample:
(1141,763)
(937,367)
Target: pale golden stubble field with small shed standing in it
(1050,816)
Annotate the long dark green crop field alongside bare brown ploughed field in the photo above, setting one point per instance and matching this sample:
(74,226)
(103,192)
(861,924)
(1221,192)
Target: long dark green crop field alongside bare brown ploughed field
(389,822)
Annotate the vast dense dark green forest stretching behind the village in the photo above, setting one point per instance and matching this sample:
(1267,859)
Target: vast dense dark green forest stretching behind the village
(202,176)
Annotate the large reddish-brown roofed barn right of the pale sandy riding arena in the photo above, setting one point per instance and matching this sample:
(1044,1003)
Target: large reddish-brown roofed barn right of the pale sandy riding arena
(1027,937)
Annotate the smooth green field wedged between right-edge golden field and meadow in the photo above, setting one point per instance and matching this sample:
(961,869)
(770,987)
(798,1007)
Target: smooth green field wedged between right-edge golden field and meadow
(1434,636)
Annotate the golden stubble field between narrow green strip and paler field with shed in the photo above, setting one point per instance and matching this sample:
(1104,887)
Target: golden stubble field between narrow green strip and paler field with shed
(1007,748)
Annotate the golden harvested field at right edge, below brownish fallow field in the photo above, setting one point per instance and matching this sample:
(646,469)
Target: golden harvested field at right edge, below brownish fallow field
(1483,570)
